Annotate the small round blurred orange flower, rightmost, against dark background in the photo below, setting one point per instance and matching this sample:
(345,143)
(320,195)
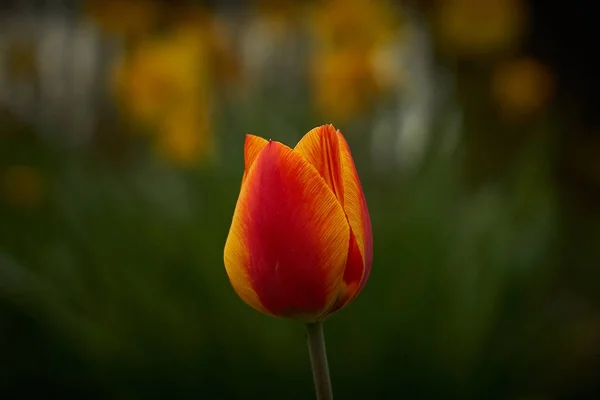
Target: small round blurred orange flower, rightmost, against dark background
(521,88)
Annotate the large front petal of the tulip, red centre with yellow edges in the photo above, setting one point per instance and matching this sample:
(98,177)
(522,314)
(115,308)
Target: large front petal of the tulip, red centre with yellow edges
(288,244)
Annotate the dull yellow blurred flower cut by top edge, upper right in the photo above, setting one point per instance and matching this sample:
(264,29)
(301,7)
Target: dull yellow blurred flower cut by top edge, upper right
(475,28)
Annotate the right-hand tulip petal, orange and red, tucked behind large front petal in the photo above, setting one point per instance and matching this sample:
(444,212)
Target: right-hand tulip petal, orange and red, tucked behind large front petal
(327,150)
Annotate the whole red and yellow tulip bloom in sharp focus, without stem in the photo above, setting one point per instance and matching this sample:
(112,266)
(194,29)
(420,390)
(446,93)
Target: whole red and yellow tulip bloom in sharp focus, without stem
(300,244)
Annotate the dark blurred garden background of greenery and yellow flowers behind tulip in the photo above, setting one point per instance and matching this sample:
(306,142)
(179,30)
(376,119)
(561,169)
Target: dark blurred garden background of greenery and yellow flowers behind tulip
(474,129)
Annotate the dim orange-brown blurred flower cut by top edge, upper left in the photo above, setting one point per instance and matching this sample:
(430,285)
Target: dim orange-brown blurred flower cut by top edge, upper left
(126,18)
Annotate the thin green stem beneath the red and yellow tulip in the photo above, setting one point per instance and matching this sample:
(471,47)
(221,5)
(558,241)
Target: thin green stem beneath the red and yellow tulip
(318,360)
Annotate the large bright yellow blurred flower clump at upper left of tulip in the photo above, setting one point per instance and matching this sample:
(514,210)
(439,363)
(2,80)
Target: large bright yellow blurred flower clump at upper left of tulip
(165,84)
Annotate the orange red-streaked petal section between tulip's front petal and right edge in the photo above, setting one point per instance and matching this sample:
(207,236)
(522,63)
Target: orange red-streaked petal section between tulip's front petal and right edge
(321,149)
